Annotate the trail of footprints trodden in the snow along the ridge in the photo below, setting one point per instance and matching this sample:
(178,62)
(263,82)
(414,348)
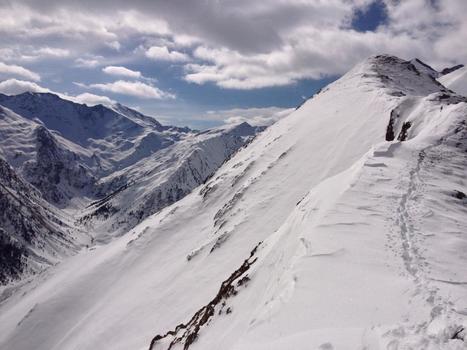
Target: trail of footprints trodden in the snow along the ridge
(407,219)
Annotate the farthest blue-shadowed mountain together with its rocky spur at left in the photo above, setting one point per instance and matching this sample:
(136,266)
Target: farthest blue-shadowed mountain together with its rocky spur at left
(41,131)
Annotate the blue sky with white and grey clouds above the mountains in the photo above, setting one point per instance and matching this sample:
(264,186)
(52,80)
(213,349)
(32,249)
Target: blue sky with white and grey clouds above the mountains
(207,62)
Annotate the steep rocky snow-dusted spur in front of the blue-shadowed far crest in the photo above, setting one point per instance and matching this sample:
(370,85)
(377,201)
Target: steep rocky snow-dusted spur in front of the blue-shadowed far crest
(47,161)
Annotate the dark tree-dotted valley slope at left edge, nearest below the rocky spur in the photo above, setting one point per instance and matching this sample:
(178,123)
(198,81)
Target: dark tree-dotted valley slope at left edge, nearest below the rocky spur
(33,235)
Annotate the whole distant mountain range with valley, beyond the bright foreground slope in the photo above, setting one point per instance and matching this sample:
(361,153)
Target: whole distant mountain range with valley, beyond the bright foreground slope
(68,156)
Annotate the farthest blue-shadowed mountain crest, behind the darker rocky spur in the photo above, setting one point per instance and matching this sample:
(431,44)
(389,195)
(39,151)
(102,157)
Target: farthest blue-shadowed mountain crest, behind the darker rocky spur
(113,138)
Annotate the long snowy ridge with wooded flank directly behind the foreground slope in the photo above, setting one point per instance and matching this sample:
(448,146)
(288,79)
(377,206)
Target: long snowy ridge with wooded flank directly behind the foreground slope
(131,195)
